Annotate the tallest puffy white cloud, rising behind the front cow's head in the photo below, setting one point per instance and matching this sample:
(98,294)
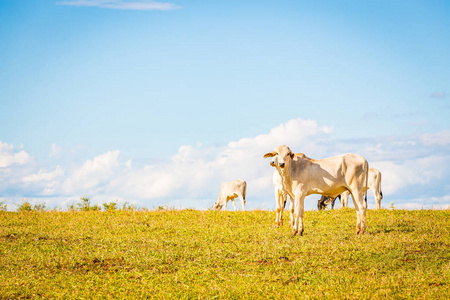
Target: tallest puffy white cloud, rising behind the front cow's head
(197,172)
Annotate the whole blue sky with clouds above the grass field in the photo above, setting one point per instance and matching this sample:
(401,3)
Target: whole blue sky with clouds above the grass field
(157,103)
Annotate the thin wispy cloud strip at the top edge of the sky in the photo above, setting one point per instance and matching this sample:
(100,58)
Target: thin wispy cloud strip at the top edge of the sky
(122,4)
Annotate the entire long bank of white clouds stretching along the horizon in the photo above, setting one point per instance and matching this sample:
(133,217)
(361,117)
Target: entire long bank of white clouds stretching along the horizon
(414,170)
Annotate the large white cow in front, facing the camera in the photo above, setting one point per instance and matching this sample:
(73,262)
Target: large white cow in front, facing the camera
(303,176)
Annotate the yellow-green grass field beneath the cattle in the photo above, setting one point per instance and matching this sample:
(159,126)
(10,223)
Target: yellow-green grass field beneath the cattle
(223,255)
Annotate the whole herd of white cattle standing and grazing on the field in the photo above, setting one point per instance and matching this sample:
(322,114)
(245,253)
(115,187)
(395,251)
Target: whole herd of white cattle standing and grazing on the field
(298,176)
